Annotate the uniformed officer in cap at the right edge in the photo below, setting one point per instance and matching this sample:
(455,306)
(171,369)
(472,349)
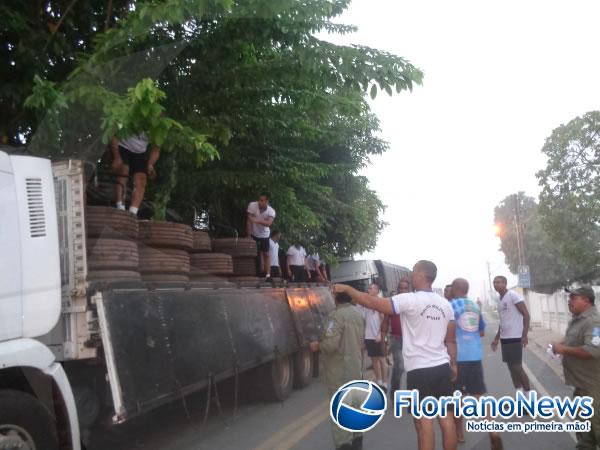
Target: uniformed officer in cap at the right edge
(580,349)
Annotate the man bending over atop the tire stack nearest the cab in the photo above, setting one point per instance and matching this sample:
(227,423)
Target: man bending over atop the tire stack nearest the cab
(131,158)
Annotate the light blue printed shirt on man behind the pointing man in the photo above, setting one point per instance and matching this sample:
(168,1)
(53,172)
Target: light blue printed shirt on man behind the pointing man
(469,322)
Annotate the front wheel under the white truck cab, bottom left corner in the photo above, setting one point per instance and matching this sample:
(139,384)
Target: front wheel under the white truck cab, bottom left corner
(25,423)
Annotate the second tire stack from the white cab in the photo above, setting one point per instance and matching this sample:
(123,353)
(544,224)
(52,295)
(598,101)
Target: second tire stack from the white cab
(164,251)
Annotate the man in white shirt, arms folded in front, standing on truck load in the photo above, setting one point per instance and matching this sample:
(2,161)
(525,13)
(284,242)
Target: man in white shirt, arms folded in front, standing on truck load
(259,220)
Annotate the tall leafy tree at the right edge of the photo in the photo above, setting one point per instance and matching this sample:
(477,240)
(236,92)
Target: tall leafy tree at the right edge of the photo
(570,197)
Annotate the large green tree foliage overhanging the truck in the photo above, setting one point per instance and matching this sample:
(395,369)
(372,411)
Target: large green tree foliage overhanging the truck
(249,81)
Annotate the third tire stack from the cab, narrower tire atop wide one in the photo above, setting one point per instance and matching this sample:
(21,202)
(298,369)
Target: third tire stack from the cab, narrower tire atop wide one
(207,266)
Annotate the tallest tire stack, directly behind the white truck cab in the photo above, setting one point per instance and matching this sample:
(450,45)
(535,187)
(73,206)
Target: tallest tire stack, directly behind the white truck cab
(112,250)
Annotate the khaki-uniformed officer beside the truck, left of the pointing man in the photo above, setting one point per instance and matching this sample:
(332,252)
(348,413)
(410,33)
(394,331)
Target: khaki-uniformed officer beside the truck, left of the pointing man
(340,348)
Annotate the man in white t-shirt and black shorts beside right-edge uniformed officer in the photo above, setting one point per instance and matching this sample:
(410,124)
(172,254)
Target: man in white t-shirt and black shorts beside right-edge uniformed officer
(512,332)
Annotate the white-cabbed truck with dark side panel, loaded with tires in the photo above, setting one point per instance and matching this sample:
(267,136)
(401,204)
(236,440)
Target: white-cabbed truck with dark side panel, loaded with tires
(72,303)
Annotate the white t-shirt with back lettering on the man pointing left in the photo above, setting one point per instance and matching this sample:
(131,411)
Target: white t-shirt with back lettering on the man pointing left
(424,317)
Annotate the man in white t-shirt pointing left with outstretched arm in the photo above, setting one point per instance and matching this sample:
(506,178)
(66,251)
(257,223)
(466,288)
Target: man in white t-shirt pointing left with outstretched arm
(429,345)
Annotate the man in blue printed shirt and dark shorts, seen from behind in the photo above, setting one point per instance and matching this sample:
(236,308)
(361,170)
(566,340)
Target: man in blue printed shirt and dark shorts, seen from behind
(470,328)
